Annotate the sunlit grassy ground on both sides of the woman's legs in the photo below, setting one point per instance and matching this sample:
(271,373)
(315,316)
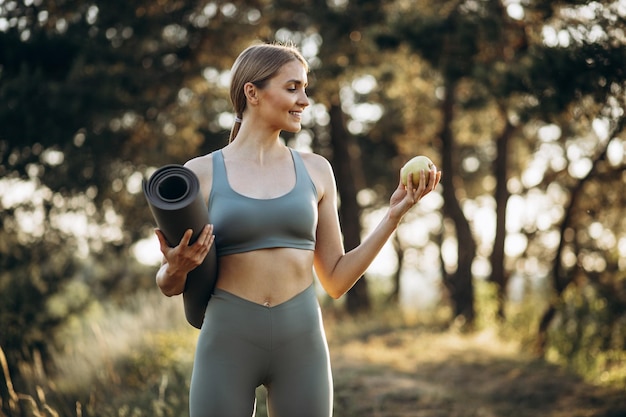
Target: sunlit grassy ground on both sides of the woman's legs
(389,363)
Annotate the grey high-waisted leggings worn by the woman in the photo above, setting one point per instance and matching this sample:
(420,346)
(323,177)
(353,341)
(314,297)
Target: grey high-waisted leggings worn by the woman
(243,345)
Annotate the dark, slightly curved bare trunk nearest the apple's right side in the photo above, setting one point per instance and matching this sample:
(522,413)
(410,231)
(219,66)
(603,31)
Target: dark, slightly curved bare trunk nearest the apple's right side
(459,282)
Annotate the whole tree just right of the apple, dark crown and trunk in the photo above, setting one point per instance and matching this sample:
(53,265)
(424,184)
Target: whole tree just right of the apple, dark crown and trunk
(447,37)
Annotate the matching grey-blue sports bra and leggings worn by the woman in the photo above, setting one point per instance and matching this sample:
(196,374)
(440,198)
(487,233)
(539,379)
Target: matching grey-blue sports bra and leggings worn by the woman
(243,344)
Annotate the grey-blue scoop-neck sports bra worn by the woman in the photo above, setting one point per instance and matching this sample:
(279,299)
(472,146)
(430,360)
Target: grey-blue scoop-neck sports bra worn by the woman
(243,224)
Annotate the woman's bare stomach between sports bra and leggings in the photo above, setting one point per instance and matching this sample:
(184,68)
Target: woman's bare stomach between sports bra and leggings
(268,276)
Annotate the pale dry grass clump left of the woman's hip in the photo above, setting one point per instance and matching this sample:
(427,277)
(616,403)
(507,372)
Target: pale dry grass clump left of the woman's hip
(98,343)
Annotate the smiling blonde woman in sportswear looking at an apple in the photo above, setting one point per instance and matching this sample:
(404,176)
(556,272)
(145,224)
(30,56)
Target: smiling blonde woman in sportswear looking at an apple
(274,218)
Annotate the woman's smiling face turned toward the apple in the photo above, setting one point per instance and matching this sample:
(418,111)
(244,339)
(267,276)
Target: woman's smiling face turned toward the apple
(284,98)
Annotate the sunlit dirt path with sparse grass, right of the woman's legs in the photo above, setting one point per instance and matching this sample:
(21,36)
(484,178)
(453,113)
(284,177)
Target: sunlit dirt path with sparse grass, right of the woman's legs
(421,373)
